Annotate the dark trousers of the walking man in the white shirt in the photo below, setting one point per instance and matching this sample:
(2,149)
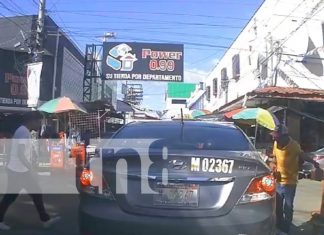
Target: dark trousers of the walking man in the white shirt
(16,182)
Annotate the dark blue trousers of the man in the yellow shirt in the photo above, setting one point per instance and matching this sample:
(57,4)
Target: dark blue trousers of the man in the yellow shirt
(285,206)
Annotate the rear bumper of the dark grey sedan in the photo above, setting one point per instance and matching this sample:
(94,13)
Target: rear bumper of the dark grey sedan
(103,217)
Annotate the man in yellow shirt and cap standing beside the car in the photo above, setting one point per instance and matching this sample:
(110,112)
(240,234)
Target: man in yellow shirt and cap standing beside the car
(288,156)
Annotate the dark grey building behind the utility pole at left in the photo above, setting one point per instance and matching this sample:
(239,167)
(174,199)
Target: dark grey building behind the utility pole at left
(62,73)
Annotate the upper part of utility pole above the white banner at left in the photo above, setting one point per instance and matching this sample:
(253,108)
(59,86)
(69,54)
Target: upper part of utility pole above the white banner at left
(40,31)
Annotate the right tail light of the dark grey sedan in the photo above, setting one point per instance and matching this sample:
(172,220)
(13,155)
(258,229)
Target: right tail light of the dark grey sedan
(260,189)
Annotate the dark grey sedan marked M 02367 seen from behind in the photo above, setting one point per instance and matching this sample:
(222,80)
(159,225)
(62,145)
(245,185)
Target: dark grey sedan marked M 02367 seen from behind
(217,183)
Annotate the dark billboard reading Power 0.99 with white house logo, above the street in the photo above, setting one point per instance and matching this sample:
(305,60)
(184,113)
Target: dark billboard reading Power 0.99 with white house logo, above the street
(143,61)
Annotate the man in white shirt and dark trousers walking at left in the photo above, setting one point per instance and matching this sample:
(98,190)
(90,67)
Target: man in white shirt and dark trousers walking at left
(20,174)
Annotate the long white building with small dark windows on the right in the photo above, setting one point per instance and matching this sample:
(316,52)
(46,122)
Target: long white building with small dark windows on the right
(282,45)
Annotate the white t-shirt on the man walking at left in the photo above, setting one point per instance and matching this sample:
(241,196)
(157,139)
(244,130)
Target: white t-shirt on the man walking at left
(21,136)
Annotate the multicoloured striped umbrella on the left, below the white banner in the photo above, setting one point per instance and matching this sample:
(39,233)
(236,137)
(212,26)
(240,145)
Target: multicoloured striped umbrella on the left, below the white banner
(61,105)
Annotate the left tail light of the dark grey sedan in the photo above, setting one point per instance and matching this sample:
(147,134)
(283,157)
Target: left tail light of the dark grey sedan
(89,185)
